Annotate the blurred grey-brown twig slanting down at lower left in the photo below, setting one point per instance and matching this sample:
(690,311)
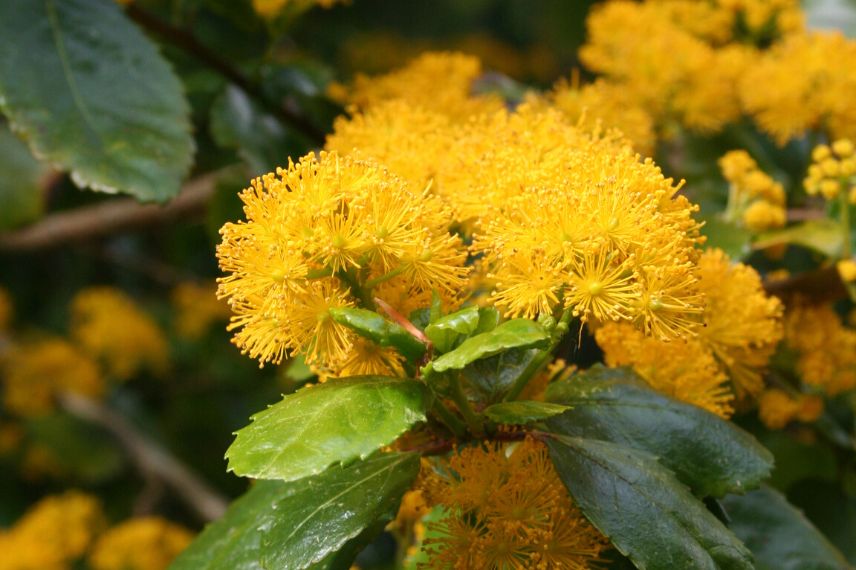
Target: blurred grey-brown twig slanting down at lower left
(152,460)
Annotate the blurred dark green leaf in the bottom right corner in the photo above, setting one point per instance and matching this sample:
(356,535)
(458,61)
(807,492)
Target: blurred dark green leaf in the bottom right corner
(778,534)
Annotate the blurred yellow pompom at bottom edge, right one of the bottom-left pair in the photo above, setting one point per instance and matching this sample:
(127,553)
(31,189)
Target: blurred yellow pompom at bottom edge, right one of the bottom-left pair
(145,543)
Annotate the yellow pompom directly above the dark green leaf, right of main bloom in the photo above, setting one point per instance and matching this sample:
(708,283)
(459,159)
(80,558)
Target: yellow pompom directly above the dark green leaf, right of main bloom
(682,369)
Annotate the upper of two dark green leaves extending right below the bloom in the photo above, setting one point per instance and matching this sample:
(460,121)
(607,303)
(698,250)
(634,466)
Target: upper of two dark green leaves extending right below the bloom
(711,455)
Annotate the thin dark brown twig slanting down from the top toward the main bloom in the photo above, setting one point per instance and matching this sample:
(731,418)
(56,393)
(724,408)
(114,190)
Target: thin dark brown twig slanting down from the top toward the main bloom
(188,43)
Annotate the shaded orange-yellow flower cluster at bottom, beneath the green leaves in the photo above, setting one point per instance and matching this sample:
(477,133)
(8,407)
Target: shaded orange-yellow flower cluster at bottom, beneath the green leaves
(507,508)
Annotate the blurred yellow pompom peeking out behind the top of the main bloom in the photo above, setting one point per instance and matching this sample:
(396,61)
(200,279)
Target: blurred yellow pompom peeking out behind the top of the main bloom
(437,81)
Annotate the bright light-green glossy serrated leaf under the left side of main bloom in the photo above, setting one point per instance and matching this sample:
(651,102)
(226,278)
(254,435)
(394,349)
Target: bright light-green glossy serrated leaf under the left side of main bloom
(317,426)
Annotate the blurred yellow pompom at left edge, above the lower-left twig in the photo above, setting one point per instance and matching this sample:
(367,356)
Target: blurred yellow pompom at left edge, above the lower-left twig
(36,372)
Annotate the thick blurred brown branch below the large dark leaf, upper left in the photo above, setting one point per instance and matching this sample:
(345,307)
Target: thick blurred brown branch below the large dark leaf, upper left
(107,217)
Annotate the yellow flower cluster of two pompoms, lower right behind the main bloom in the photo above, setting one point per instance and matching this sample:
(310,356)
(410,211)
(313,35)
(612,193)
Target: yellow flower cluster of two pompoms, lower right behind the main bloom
(742,326)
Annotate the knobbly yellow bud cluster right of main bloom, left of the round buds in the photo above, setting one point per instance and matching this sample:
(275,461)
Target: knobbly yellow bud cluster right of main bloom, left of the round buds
(753,196)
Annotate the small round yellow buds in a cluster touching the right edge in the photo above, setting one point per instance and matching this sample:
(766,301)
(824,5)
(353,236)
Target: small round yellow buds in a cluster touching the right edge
(832,171)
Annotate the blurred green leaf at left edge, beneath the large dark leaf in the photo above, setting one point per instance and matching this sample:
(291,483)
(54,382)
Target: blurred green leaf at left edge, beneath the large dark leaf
(21,176)
